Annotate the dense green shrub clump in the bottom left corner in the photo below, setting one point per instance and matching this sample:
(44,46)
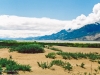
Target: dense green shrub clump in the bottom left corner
(11,67)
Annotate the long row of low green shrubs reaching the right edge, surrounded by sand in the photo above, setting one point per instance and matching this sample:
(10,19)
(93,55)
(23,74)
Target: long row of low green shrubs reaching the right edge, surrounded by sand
(68,55)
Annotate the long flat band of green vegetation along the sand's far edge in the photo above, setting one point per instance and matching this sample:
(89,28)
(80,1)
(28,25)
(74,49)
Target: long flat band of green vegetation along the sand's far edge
(13,43)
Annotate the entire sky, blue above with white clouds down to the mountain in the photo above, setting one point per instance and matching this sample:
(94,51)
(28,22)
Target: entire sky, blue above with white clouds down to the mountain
(30,18)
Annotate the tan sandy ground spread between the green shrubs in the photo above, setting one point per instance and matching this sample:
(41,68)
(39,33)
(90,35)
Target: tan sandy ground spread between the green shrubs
(32,60)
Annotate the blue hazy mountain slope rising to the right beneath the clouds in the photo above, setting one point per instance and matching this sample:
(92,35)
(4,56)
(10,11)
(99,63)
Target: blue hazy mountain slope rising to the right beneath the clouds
(78,34)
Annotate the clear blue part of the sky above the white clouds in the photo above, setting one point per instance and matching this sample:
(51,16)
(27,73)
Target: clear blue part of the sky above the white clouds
(54,9)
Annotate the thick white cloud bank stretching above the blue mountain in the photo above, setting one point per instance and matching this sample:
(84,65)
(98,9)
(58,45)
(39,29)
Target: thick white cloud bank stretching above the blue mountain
(15,26)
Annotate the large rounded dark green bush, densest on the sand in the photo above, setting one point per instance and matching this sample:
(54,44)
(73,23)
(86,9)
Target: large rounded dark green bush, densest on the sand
(30,48)
